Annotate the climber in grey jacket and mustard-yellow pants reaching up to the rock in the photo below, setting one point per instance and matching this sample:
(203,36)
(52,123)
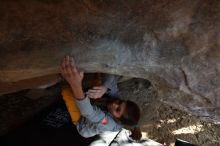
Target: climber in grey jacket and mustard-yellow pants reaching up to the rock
(89,119)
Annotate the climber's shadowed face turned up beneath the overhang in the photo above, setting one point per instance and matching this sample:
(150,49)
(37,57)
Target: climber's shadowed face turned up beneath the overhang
(117,108)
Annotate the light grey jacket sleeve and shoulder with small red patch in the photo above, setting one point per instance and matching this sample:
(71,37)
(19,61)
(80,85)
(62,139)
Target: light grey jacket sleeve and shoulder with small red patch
(92,120)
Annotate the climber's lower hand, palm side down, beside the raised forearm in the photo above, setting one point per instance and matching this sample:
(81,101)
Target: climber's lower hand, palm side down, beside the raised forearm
(97,92)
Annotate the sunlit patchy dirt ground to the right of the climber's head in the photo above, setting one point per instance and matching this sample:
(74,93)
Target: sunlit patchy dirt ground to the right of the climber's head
(164,123)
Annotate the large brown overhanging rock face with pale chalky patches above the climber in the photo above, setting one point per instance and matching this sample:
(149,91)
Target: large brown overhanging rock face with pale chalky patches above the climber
(173,44)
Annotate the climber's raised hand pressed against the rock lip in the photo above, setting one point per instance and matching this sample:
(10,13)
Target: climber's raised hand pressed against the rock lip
(70,73)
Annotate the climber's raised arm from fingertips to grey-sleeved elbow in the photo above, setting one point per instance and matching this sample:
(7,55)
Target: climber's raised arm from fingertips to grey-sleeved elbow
(74,78)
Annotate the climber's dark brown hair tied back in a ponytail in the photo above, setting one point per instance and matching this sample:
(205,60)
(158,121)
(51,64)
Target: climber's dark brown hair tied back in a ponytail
(131,118)
